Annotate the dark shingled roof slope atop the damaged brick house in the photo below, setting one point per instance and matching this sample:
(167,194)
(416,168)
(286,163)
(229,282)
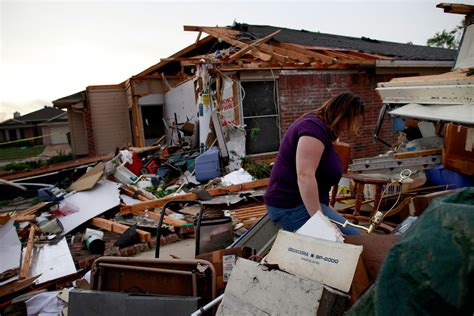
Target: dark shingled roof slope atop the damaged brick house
(365,45)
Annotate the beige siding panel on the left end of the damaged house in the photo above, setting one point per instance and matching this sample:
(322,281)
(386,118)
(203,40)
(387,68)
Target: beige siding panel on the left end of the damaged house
(110,119)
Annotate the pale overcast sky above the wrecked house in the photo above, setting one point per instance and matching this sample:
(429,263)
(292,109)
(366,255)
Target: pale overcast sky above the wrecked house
(51,49)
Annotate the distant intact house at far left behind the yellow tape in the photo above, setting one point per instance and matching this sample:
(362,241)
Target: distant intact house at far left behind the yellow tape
(48,126)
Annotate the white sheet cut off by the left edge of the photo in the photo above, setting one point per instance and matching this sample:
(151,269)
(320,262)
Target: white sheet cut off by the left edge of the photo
(10,247)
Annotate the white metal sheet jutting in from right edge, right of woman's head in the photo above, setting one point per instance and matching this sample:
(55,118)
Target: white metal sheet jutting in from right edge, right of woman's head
(460,113)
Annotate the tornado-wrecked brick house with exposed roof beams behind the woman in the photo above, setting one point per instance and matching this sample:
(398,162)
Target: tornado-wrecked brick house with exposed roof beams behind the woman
(260,77)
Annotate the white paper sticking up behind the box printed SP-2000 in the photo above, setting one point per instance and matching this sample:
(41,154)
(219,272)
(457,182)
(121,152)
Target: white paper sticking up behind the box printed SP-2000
(319,226)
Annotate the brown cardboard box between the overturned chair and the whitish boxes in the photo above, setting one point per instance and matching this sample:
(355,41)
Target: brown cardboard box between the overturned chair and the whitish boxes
(224,261)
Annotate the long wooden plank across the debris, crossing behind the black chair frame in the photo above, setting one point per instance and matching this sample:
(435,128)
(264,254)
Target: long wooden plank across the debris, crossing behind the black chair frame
(193,196)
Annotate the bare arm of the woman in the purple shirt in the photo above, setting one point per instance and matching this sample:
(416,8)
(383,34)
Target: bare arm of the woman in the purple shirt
(308,154)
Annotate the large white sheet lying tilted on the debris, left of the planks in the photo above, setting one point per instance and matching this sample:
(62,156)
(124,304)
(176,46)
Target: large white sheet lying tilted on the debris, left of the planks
(89,204)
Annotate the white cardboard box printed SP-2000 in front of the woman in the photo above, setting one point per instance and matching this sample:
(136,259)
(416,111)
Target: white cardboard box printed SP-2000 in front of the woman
(320,260)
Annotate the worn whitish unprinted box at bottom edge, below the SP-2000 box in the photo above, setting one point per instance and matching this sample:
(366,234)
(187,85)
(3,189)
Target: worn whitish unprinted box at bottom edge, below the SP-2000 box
(253,289)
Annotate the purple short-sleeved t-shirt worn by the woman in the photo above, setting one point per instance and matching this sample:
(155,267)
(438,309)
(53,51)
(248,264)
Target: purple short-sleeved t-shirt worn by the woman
(282,190)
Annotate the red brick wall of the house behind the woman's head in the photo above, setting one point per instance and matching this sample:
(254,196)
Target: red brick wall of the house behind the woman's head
(300,93)
